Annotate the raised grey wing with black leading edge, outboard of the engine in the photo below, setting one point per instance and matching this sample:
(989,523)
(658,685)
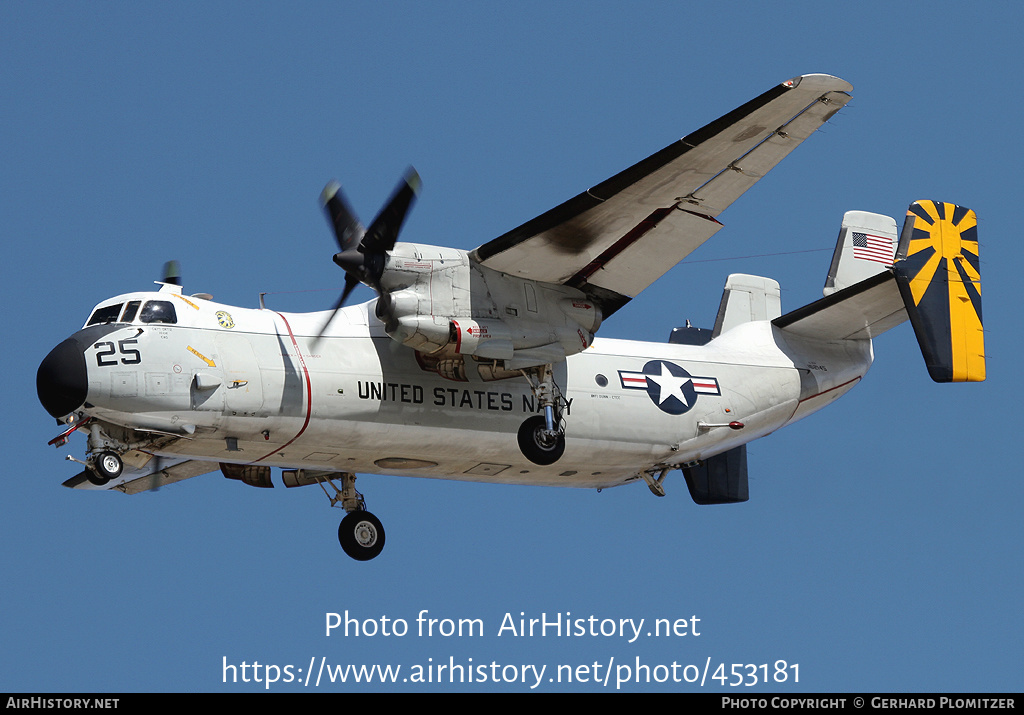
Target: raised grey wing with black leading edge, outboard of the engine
(618,238)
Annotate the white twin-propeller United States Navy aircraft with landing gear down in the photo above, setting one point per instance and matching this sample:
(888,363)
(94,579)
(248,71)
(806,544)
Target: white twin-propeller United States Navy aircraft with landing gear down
(483,366)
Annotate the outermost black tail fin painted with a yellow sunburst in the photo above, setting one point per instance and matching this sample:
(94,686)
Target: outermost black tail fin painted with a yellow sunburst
(940,277)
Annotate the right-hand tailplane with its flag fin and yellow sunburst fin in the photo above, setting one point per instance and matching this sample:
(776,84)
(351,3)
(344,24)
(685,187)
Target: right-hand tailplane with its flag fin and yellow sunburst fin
(935,282)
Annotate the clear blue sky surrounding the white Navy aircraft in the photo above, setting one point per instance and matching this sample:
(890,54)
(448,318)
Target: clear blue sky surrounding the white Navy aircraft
(881,546)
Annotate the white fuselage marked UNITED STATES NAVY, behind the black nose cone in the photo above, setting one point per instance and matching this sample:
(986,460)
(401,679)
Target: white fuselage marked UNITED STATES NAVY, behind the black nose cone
(267,392)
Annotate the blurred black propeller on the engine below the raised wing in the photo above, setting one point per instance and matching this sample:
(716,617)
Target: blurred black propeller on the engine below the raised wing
(363,253)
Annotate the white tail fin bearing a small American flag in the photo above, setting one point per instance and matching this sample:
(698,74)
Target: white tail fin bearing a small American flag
(866,247)
